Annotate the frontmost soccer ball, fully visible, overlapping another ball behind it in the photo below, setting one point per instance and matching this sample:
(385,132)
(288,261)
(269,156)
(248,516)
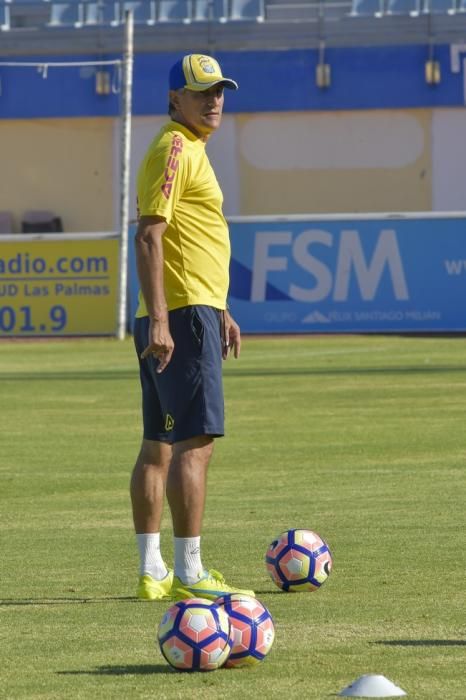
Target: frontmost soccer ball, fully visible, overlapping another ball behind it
(195,635)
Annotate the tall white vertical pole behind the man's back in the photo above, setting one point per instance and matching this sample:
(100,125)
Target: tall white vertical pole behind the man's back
(125,171)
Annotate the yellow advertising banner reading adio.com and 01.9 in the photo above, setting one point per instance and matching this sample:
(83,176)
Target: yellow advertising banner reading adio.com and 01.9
(58,286)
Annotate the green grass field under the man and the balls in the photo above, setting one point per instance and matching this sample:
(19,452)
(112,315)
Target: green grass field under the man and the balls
(359,438)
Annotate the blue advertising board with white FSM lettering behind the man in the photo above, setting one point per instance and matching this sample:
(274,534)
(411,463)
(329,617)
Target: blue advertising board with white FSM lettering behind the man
(403,273)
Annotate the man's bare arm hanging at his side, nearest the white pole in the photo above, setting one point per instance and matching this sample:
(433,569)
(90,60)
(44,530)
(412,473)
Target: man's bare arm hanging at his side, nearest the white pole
(149,261)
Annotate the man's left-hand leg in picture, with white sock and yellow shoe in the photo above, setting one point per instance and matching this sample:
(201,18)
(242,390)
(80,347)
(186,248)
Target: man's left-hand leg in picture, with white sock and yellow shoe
(147,496)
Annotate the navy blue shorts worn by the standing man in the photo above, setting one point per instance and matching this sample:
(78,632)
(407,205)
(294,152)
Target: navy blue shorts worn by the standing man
(186,399)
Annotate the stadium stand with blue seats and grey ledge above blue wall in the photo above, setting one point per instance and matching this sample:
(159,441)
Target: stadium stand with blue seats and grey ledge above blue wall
(171,25)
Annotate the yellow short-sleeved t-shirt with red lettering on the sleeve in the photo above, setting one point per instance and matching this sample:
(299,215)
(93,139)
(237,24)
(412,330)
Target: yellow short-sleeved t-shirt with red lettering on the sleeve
(176,181)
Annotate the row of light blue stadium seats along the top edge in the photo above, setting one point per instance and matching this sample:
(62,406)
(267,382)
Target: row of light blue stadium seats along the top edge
(18,14)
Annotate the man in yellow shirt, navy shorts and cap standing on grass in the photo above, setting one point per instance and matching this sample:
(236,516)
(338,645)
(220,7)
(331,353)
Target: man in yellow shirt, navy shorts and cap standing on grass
(182,331)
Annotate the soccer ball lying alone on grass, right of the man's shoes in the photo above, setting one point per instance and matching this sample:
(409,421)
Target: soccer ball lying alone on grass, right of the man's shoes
(298,560)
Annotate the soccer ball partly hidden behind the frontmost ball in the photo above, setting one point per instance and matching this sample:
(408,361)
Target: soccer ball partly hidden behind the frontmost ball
(252,626)
